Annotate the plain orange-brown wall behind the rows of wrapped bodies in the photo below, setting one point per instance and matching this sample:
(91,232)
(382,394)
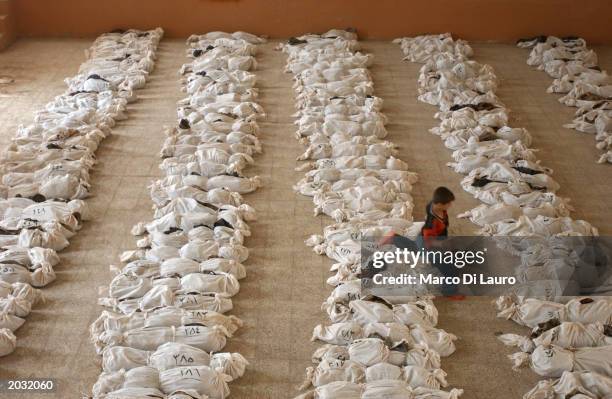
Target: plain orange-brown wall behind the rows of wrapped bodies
(499,20)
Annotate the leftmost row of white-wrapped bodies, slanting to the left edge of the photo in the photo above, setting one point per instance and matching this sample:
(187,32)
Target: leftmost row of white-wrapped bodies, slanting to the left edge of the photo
(45,170)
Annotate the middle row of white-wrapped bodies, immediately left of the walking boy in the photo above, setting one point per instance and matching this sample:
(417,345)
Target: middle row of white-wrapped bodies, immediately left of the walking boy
(374,347)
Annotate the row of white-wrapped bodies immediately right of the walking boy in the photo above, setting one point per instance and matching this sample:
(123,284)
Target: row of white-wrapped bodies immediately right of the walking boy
(519,200)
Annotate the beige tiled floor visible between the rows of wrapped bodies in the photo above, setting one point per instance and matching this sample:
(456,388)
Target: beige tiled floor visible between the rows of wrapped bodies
(279,301)
